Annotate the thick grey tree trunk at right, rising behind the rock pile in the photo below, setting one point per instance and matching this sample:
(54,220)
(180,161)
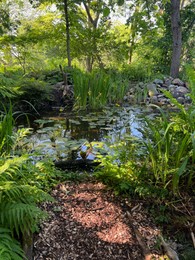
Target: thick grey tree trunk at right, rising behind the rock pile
(177,37)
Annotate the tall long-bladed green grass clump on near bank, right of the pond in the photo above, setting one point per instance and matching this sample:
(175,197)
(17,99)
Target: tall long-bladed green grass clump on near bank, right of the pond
(170,142)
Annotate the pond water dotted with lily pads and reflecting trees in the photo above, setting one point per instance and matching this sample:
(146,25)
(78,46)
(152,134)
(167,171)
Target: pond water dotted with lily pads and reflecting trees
(63,136)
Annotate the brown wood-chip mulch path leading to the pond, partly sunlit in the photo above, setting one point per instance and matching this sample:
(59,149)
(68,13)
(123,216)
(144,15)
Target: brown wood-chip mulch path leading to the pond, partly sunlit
(88,221)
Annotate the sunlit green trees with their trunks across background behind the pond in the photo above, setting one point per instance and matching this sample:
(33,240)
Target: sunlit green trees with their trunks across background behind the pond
(98,33)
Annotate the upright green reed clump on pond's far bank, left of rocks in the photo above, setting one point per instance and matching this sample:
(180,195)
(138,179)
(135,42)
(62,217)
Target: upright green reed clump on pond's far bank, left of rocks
(99,88)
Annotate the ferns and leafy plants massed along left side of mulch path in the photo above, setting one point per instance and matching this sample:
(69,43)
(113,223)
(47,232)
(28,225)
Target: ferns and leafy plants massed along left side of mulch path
(21,190)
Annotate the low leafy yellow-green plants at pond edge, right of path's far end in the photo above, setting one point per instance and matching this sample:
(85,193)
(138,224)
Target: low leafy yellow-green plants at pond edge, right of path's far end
(119,168)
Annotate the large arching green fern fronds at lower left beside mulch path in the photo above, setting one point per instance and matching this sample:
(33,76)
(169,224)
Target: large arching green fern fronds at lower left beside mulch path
(18,201)
